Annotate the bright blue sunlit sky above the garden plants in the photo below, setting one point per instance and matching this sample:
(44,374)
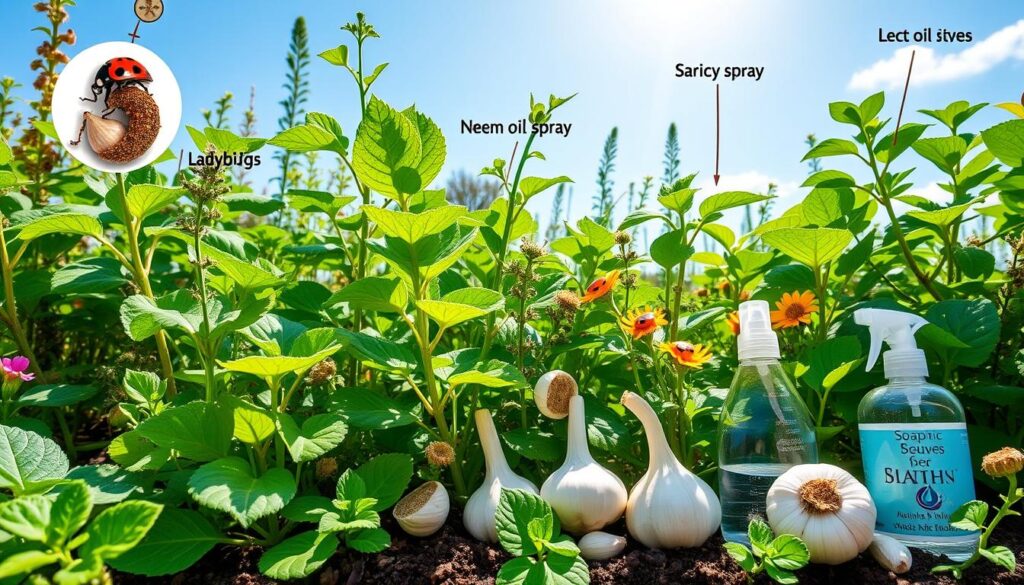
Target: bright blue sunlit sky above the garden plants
(481,61)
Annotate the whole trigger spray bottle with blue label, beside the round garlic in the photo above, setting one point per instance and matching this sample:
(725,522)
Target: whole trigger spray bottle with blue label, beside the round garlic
(914,443)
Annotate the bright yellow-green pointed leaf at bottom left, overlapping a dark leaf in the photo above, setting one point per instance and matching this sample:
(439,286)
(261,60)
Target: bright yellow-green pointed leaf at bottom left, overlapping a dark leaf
(119,529)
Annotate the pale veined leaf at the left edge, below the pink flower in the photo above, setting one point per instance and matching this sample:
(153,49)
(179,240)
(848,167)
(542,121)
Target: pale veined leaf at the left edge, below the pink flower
(27,458)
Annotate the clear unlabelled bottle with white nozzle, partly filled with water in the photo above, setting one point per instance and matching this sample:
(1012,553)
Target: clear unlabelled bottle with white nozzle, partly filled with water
(764,429)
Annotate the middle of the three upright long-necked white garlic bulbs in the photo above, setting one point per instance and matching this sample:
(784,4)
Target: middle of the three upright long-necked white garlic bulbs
(585,495)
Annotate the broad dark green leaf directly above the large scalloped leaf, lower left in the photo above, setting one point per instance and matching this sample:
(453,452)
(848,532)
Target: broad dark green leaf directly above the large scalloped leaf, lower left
(197,431)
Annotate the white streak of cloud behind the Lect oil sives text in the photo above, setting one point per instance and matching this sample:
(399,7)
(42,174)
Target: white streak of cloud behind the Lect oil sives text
(930,68)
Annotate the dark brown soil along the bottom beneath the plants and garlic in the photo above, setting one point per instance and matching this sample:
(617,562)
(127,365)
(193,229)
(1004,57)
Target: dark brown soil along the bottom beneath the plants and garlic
(453,558)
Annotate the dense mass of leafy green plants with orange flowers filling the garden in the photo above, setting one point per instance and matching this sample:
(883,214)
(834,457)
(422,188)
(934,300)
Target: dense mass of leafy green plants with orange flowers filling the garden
(194,369)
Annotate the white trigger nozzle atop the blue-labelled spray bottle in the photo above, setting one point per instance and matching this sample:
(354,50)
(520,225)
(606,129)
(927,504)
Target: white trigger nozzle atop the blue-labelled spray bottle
(895,328)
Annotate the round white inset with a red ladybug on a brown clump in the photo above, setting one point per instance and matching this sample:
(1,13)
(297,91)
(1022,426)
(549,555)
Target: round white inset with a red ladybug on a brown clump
(117,107)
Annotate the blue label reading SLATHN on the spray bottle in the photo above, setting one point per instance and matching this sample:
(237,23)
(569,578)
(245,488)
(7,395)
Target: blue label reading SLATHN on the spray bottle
(918,475)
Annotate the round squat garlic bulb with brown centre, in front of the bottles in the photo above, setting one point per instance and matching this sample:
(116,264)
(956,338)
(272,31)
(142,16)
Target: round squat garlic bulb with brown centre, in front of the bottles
(826,507)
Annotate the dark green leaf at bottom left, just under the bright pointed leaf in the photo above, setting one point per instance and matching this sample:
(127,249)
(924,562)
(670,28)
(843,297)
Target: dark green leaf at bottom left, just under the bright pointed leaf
(178,540)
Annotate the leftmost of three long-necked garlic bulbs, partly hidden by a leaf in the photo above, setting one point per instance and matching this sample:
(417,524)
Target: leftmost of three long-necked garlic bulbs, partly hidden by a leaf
(480,514)
